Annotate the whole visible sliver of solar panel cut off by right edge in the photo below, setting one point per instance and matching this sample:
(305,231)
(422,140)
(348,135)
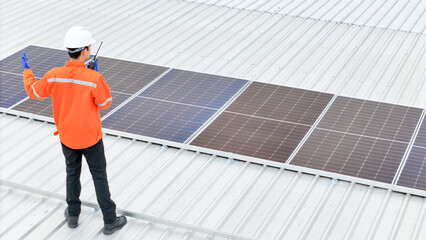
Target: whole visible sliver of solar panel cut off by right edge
(414,171)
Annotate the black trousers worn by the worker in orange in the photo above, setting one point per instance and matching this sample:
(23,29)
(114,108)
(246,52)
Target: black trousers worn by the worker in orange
(96,161)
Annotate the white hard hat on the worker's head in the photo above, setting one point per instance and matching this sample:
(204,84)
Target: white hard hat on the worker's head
(77,37)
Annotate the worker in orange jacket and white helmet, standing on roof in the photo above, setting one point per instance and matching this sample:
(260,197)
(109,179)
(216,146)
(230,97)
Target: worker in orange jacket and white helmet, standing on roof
(78,93)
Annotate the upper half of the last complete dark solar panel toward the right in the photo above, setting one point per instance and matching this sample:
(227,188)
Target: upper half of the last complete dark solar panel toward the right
(374,119)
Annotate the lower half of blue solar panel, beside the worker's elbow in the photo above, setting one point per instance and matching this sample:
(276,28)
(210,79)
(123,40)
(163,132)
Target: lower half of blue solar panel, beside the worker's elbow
(153,118)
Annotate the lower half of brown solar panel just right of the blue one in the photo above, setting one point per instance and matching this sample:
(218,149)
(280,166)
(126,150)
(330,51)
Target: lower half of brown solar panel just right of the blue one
(252,136)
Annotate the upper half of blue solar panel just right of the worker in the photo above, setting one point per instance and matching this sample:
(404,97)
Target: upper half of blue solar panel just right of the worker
(193,88)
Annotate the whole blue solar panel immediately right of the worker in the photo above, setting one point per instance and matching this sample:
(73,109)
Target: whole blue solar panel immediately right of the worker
(181,100)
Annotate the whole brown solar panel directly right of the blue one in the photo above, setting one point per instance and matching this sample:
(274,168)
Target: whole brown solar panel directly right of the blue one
(265,121)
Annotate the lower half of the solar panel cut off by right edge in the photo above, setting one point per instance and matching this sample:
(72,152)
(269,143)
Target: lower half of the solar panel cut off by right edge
(414,172)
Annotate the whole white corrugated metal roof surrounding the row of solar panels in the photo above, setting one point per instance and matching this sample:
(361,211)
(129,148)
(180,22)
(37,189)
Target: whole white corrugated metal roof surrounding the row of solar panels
(373,50)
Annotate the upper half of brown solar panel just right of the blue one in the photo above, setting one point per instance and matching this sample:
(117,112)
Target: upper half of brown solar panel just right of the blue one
(281,103)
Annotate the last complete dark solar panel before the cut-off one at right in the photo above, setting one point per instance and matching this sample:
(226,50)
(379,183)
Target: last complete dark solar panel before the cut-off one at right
(360,138)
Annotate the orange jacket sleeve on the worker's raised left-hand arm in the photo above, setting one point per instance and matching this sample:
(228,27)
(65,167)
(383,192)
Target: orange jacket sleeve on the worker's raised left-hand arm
(36,89)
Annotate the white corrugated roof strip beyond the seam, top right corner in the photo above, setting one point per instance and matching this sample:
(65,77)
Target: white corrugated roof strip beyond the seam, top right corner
(393,14)
